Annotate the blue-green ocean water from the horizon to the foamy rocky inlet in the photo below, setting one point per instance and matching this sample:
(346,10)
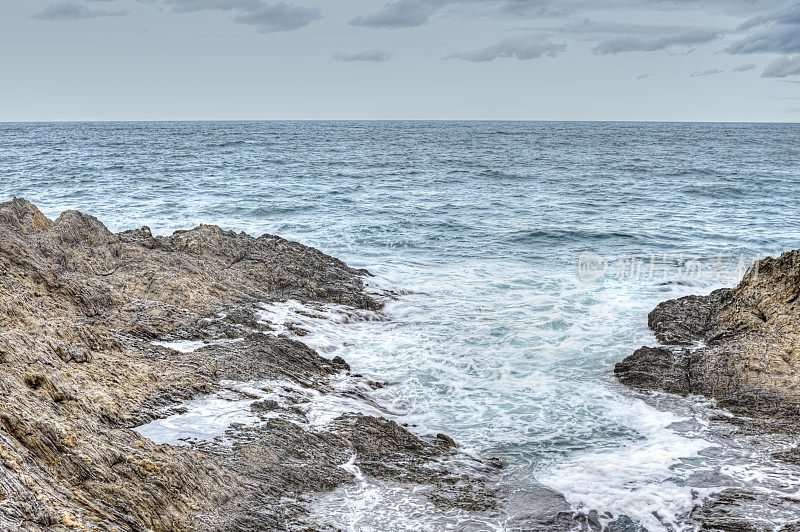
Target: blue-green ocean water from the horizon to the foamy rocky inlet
(529,255)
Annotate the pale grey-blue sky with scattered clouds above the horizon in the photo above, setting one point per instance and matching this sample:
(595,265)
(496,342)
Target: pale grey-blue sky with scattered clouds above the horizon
(665,60)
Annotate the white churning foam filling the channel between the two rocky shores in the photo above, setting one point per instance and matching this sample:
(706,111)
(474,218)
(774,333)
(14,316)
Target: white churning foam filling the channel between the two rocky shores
(625,459)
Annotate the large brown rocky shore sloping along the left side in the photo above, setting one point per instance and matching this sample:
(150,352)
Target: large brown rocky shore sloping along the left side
(82,312)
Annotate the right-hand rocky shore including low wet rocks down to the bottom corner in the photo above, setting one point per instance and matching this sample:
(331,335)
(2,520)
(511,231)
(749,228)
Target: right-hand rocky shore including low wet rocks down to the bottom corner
(740,347)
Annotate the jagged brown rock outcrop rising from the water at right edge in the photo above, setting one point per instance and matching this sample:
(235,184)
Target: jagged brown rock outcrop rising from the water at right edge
(749,357)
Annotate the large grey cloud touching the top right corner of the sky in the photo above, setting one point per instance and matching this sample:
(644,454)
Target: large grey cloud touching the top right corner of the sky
(779,33)
